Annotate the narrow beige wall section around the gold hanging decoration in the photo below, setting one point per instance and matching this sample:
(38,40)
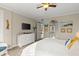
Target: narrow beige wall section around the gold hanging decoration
(7,32)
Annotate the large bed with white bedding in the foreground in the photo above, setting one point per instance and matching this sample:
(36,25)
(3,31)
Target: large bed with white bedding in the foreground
(50,47)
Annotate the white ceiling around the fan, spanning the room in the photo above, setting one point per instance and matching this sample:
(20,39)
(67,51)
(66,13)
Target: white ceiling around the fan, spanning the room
(29,10)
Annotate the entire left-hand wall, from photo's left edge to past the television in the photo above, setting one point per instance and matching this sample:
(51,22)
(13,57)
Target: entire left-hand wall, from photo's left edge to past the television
(10,35)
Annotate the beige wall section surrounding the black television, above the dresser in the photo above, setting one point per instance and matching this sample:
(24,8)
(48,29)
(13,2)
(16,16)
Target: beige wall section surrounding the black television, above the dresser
(16,26)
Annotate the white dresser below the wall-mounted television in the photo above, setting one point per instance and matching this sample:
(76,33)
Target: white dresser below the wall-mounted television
(25,39)
